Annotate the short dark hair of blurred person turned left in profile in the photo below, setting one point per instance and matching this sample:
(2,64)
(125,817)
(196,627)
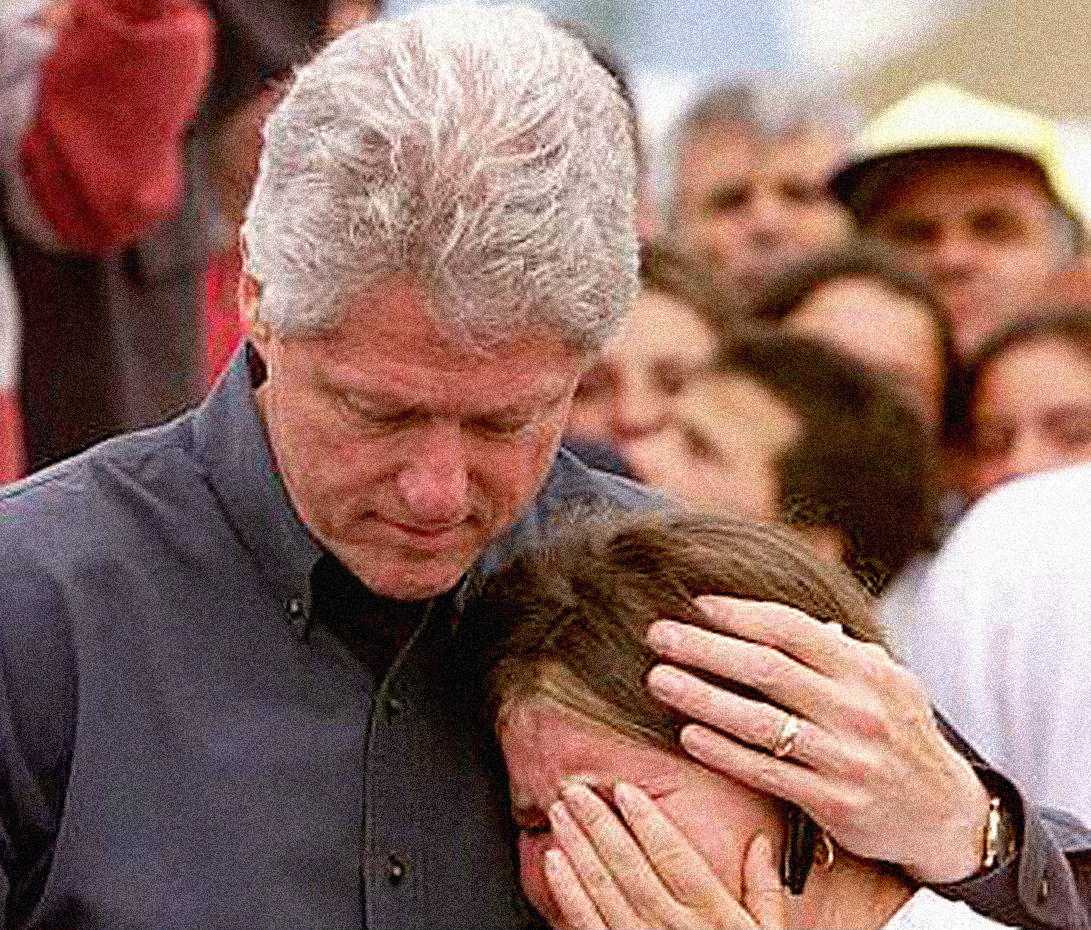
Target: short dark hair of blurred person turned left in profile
(864,464)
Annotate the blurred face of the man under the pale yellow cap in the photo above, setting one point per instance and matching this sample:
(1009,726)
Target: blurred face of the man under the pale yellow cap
(984,230)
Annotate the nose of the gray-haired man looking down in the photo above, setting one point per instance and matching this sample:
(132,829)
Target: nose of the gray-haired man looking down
(434,482)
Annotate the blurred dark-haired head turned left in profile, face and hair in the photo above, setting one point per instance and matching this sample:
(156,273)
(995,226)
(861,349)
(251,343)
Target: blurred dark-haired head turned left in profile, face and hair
(787,431)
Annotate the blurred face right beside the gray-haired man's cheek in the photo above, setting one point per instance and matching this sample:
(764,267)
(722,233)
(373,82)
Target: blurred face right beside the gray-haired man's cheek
(628,395)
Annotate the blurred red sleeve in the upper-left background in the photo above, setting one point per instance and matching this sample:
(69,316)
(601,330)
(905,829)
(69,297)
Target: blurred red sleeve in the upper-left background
(103,154)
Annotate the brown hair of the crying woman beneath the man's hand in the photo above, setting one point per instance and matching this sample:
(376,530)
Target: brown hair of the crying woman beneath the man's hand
(568,621)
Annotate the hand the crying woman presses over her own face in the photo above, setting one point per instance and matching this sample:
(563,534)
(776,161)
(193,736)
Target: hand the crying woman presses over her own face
(634,869)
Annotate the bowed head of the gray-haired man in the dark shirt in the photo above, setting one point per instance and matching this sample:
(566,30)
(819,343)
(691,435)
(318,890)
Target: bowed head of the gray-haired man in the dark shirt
(441,237)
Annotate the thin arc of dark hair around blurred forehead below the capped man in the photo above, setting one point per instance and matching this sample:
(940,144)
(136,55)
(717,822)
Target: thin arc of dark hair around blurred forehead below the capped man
(795,288)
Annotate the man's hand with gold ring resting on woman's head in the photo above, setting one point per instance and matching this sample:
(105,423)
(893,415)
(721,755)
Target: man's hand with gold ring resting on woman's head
(865,758)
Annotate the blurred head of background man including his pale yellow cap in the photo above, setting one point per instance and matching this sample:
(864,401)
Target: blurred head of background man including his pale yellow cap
(974,196)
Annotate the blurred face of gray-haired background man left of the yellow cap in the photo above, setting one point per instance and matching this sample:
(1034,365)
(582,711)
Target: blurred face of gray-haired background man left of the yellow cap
(750,208)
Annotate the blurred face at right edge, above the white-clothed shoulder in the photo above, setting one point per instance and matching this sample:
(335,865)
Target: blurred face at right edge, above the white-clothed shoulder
(1032,412)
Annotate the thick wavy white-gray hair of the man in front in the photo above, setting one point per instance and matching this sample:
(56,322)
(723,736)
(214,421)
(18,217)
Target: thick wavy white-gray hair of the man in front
(478,149)
